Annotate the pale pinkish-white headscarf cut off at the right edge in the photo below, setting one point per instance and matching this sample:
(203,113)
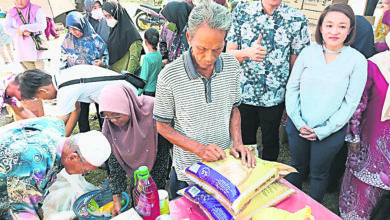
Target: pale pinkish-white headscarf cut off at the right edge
(382,60)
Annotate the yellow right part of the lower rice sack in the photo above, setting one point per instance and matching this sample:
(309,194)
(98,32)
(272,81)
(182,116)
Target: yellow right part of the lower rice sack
(270,196)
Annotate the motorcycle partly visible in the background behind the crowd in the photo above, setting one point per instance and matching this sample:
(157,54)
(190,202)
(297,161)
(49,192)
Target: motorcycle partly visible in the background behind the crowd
(147,16)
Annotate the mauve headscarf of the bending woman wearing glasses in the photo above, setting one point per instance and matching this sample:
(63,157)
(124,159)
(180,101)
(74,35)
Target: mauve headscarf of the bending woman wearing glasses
(135,144)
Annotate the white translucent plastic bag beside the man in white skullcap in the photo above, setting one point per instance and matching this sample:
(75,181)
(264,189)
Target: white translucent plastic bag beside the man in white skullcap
(57,205)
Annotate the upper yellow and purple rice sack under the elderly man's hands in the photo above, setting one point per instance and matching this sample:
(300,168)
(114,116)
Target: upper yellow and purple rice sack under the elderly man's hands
(234,184)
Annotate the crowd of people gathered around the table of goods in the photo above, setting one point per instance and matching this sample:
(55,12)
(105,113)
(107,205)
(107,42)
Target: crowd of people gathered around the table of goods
(210,78)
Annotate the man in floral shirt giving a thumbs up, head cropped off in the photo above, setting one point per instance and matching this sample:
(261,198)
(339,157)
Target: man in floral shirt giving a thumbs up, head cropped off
(266,38)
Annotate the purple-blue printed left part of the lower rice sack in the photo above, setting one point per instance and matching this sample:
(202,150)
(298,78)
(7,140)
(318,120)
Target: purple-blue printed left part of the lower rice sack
(210,206)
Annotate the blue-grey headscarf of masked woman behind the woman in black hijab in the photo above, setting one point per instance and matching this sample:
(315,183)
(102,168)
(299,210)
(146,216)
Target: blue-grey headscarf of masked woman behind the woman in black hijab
(100,27)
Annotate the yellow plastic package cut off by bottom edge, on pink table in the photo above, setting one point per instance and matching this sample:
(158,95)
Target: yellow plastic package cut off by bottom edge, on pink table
(279,214)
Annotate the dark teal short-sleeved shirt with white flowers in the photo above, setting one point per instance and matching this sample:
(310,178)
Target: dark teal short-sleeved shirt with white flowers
(284,32)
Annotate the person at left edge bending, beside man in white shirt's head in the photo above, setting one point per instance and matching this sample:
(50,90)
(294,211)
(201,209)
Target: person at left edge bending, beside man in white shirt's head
(10,95)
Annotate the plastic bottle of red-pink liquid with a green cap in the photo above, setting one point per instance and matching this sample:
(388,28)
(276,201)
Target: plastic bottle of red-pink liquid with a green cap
(145,194)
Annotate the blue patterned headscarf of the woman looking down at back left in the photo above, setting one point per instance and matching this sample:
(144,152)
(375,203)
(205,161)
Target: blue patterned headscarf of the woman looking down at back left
(87,48)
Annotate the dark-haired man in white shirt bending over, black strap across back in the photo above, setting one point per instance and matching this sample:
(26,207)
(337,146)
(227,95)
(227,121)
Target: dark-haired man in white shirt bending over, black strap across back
(38,84)
